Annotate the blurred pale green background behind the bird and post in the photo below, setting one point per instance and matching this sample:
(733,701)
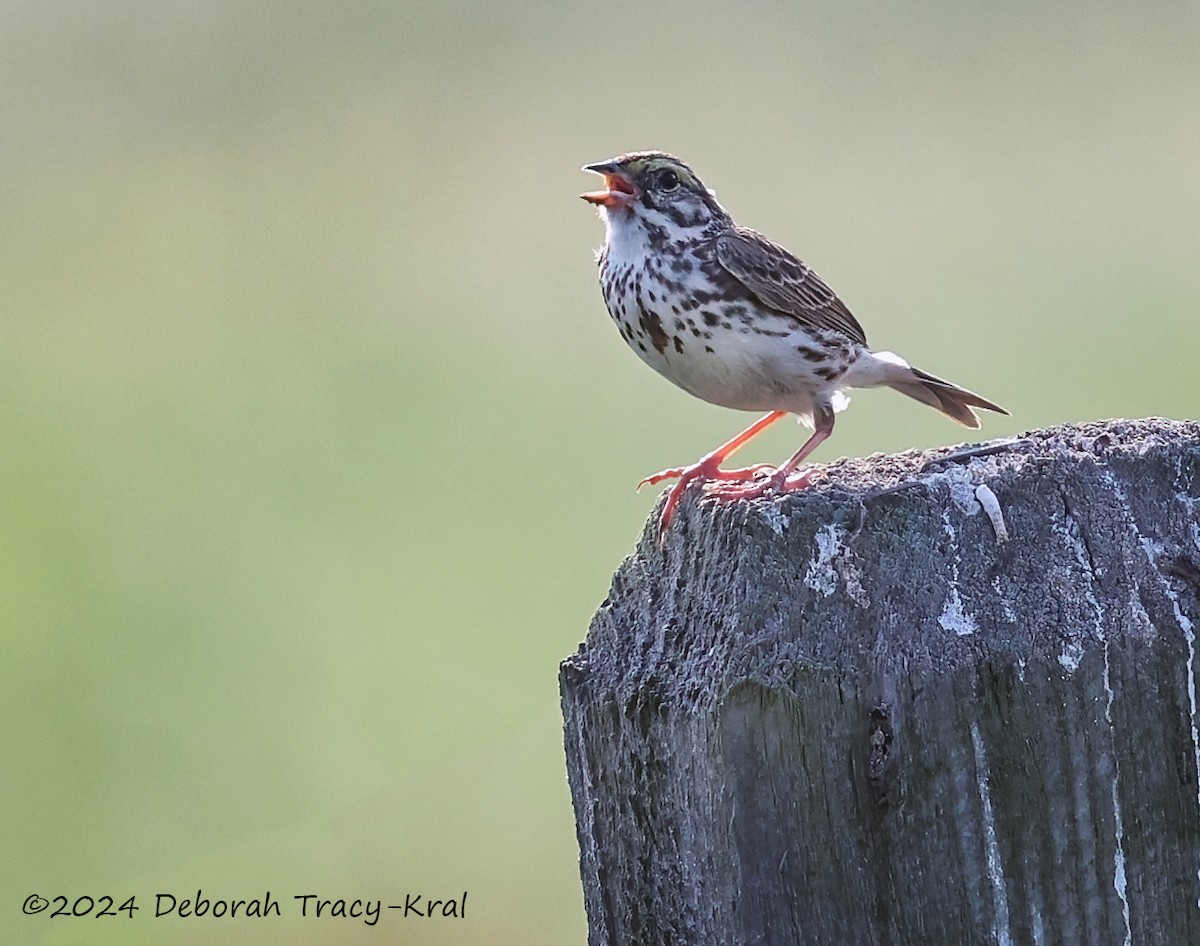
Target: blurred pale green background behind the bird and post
(319,447)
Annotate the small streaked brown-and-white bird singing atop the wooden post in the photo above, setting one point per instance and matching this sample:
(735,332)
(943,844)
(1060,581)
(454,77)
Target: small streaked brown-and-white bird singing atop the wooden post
(737,321)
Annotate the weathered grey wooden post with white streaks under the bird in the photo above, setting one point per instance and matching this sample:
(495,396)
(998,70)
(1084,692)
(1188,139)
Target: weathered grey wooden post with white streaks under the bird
(929,700)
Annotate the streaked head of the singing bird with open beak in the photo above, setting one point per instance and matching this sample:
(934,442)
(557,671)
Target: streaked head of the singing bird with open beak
(655,188)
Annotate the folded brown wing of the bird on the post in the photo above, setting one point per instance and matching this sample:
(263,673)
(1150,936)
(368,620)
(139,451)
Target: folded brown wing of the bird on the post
(783,283)
